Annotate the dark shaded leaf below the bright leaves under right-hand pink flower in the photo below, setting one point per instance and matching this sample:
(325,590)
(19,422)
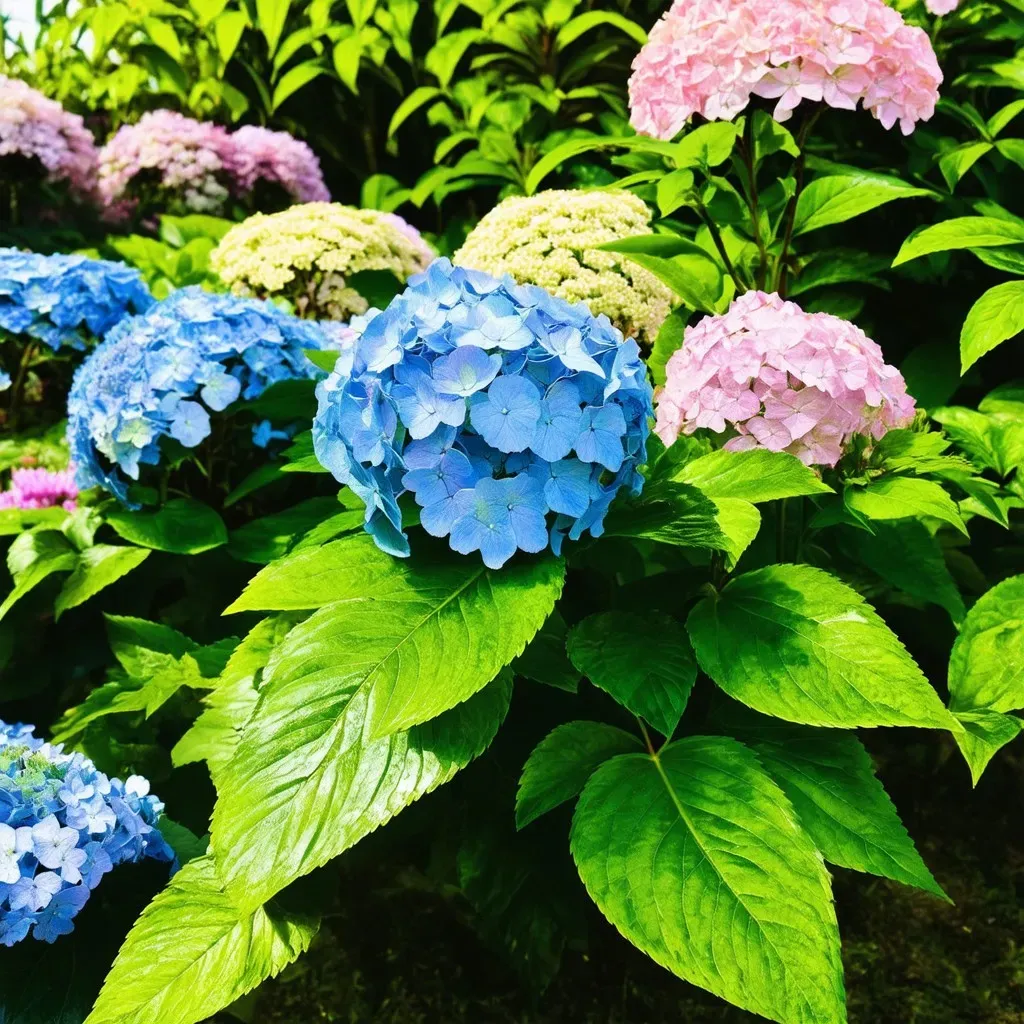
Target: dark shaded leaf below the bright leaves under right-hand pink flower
(907,556)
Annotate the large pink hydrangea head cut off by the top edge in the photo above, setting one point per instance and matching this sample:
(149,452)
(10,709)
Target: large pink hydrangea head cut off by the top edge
(710,57)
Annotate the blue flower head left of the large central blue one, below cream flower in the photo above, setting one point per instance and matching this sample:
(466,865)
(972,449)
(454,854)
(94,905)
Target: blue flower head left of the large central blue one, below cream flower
(161,375)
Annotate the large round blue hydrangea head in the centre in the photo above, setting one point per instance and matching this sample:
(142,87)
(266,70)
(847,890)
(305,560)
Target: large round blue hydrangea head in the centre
(495,405)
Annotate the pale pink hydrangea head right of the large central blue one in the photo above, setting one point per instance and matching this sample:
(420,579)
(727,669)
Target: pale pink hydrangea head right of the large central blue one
(783,379)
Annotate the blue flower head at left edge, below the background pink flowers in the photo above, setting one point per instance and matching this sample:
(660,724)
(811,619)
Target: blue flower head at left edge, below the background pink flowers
(64,300)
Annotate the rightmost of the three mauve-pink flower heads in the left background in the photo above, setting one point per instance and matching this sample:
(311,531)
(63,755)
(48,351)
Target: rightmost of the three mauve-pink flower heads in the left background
(259,154)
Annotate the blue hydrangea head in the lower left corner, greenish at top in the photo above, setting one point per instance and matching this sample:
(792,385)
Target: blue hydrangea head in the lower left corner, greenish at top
(63,827)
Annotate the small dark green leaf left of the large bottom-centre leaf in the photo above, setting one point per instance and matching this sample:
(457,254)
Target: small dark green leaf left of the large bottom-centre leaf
(561,764)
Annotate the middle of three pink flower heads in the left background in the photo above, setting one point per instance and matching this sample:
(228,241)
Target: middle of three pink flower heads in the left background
(190,158)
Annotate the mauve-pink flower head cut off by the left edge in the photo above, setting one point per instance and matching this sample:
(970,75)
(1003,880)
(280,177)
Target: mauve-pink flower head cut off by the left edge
(34,126)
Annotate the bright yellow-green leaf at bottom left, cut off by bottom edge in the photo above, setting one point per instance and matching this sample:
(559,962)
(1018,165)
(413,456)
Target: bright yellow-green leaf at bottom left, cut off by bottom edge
(194,952)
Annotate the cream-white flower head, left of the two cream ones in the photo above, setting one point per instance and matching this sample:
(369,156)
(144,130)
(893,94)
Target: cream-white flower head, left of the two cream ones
(308,252)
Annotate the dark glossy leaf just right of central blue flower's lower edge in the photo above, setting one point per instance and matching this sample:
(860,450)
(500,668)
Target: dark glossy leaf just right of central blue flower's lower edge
(672,514)
